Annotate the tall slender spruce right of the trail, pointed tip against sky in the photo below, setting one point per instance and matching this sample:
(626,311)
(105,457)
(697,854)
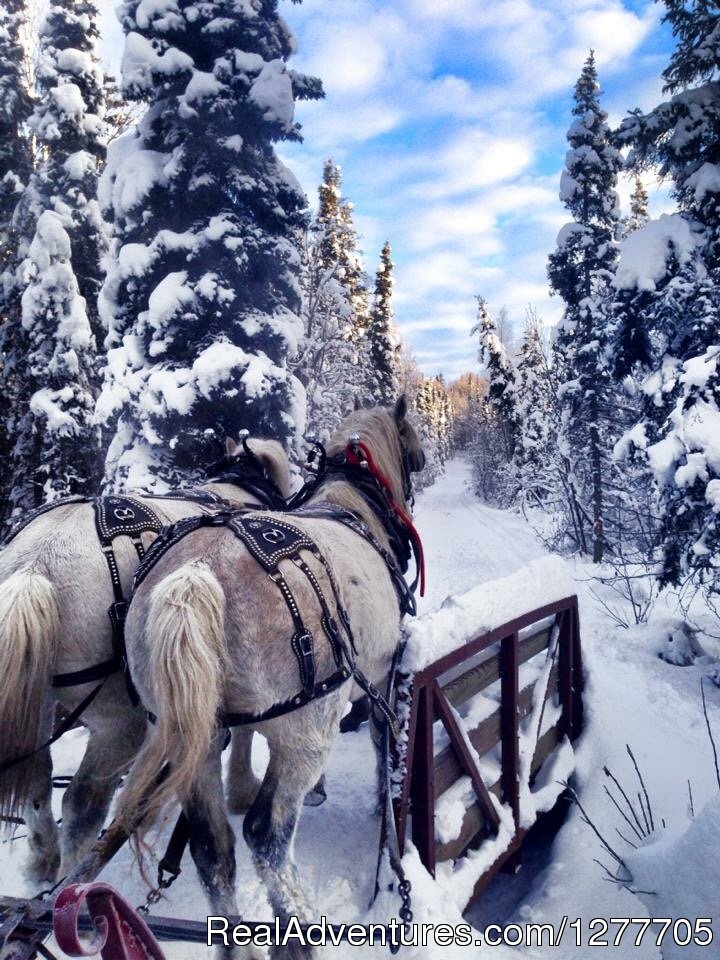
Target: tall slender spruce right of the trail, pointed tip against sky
(580,270)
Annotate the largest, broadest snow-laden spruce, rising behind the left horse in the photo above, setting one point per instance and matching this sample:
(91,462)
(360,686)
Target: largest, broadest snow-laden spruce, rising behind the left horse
(203,295)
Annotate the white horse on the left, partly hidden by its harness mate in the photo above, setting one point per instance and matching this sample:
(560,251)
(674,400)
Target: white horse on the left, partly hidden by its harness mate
(55,591)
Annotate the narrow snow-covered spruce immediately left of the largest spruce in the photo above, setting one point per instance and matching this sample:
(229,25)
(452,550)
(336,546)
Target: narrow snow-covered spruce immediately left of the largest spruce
(56,448)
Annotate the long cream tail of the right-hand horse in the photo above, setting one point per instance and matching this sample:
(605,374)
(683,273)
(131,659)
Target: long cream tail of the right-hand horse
(185,641)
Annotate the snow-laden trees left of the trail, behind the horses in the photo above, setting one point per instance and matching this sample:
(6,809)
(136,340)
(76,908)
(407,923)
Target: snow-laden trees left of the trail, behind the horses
(163,283)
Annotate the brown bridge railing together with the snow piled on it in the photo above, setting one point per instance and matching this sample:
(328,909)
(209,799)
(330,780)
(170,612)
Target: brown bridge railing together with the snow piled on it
(493,701)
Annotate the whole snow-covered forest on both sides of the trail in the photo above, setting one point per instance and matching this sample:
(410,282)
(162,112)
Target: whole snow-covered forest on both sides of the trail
(164,284)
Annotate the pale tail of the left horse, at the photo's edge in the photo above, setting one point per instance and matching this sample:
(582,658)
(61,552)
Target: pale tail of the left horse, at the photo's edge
(29,627)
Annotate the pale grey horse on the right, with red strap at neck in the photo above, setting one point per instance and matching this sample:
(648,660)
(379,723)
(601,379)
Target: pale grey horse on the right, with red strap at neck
(209,633)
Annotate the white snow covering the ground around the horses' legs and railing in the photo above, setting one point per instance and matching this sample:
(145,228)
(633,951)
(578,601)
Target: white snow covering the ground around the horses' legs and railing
(631,697)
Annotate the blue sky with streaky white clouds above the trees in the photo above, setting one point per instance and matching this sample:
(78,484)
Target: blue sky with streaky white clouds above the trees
(448,118)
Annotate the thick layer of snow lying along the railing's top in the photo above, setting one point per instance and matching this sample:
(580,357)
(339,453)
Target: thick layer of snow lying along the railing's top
(485,607)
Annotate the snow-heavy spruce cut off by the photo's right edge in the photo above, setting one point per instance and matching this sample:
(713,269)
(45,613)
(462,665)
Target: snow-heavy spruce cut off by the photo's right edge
(678,431)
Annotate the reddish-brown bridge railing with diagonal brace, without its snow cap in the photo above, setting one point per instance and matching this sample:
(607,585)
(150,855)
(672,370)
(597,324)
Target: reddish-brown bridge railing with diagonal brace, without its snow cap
(440,694)
